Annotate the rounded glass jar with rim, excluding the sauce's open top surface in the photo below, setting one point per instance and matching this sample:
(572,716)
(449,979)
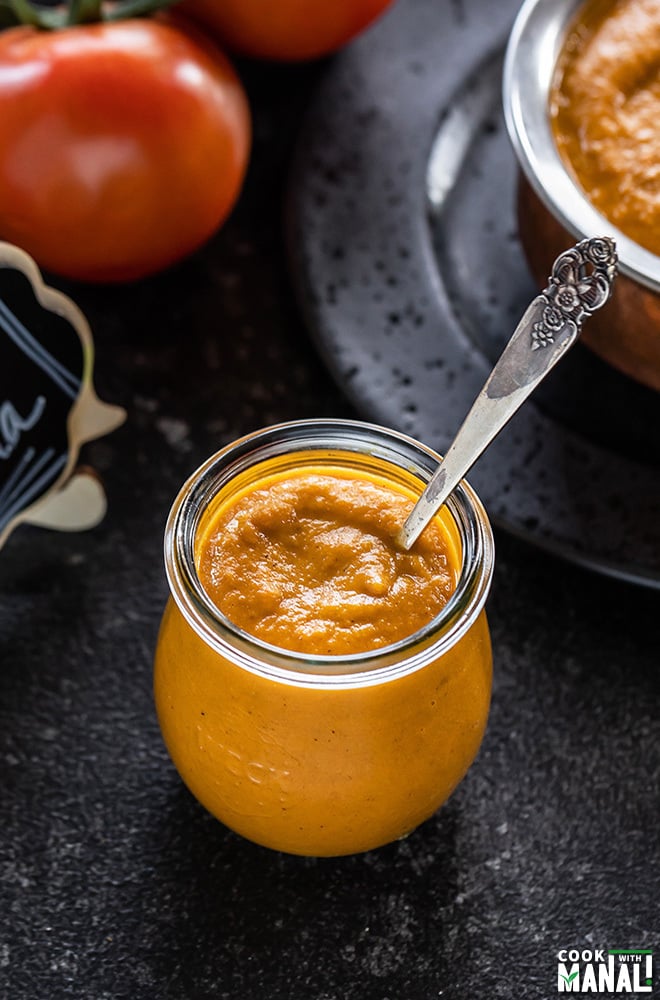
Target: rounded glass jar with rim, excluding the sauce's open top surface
(322,755)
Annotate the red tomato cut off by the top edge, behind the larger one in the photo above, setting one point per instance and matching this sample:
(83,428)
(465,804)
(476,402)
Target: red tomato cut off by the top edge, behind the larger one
(285,29)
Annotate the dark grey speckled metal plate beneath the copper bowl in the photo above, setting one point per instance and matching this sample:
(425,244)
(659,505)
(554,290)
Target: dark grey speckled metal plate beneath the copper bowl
(406,264)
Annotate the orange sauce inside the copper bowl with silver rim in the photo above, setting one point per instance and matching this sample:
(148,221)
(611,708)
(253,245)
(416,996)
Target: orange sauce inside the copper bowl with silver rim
(605,111)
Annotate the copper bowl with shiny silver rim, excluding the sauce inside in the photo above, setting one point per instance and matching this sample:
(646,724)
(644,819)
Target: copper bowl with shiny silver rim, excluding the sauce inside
(553,211)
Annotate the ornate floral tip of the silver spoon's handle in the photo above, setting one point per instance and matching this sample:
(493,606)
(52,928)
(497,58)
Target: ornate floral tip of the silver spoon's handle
(581,282)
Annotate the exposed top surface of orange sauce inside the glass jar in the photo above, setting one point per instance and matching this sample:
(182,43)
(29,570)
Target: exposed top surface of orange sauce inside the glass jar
(308,562)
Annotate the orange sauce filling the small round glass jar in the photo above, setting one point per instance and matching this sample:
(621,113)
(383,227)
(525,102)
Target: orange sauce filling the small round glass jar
(315,688)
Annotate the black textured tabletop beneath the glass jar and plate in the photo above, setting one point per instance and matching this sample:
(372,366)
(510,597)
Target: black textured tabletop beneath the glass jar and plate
(114,882)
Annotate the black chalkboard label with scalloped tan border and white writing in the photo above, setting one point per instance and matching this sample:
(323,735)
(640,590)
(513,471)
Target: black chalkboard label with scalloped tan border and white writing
(48,406)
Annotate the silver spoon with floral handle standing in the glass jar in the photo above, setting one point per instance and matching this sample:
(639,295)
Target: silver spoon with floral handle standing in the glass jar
(580,283)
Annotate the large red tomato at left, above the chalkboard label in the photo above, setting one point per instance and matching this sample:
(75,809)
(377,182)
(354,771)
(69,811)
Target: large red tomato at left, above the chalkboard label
(123,146)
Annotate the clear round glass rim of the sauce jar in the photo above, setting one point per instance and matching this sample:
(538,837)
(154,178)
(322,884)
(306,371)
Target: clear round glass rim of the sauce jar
(290,666)
